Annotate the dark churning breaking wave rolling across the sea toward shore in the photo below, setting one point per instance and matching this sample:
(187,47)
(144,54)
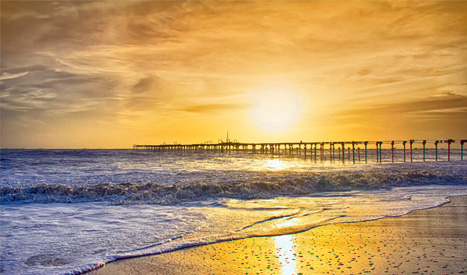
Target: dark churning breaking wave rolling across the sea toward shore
(249,185)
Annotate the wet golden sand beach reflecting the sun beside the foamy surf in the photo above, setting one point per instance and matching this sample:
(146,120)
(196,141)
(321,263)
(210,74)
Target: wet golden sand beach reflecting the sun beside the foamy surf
(432,241)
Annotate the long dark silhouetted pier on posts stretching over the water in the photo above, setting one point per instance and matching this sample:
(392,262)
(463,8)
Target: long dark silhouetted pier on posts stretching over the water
(319,151)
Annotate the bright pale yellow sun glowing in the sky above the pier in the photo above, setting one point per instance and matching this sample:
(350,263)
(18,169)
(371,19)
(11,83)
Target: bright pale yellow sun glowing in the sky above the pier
(275,108)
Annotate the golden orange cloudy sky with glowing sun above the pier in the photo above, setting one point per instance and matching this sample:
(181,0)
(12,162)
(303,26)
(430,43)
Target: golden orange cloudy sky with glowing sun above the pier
(110,74)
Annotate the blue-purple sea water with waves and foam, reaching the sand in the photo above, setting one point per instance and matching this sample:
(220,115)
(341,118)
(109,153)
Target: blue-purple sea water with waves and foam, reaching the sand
(70,211)
